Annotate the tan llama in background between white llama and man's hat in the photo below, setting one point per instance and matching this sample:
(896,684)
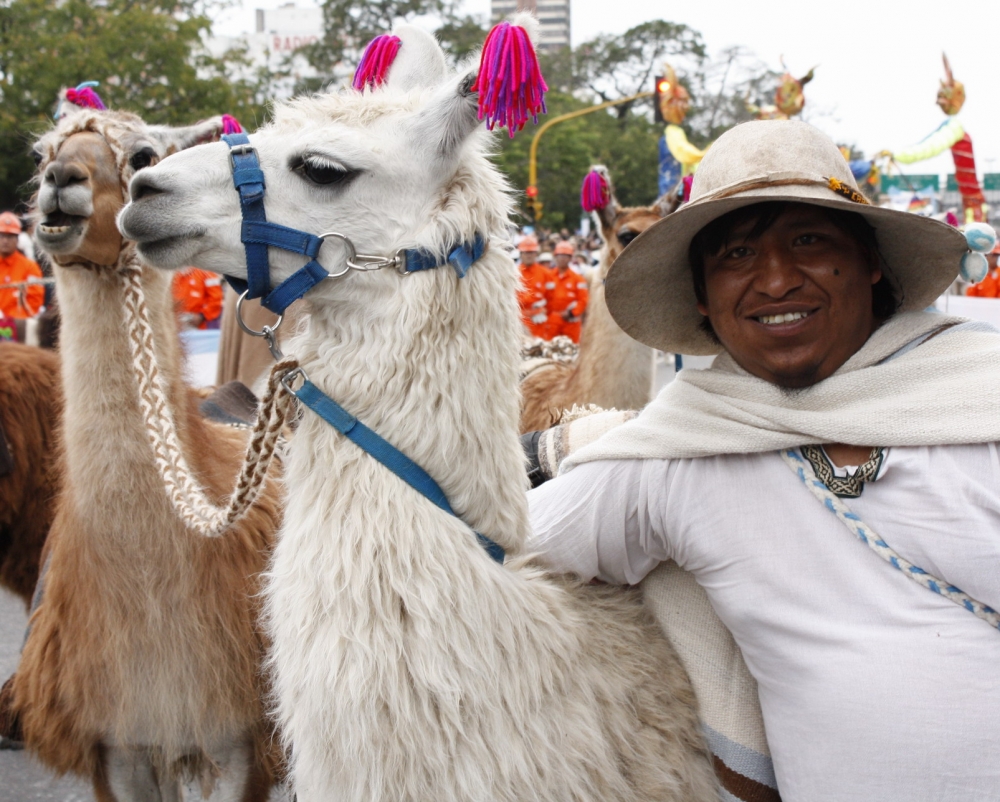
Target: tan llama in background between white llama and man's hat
(611,370)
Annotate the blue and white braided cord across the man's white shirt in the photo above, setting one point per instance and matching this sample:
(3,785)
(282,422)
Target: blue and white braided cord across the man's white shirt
(804,471)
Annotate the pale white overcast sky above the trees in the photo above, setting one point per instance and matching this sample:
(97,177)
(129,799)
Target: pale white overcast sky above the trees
(879,60)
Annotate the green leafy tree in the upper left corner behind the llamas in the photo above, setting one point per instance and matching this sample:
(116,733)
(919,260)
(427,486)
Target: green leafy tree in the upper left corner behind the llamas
(147,54)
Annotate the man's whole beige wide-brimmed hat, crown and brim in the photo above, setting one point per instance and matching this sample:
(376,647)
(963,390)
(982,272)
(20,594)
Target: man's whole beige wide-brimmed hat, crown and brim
(649,289)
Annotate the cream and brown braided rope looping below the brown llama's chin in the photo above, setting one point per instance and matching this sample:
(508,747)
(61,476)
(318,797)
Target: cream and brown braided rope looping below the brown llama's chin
(182,488)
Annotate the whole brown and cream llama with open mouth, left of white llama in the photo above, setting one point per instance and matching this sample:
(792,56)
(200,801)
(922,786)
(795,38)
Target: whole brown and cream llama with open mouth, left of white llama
(143,666)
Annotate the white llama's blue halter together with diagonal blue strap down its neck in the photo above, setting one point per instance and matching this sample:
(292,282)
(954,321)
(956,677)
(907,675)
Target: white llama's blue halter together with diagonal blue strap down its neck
(257,235)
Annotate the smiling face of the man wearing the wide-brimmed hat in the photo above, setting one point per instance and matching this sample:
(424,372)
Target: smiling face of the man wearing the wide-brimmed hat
(808,274)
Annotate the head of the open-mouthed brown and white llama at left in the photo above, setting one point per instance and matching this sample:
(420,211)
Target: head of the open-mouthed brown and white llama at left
(84,165)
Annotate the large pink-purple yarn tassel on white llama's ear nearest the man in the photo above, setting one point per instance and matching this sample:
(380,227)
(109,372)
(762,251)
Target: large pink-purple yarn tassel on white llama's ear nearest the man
(509,83)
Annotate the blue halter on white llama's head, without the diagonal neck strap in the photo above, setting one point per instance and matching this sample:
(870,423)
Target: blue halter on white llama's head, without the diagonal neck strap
(258,234)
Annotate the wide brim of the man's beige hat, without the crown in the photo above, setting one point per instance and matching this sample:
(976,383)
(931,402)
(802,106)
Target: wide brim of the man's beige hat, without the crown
(650,292)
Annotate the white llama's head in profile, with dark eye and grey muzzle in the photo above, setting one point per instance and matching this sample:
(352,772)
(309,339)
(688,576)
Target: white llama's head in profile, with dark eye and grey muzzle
(401,163)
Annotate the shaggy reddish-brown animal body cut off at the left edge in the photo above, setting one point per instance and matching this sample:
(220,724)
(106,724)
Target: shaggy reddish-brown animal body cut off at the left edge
(30,410)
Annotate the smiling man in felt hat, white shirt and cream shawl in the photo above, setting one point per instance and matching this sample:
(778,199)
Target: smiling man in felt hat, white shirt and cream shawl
(876,682)
